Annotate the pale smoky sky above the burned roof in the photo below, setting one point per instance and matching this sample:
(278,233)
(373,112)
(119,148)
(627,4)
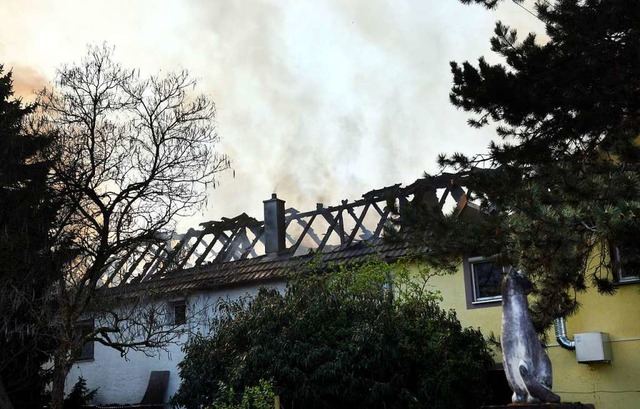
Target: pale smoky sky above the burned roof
(317,100)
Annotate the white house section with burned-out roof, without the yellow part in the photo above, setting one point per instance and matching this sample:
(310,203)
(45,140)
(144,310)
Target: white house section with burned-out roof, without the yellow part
(228,259)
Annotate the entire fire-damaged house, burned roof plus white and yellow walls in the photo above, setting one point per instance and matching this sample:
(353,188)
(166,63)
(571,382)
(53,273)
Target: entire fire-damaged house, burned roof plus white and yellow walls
(233,257)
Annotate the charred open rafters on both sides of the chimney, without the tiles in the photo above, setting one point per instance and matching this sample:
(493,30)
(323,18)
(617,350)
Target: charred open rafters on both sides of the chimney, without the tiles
(321,230)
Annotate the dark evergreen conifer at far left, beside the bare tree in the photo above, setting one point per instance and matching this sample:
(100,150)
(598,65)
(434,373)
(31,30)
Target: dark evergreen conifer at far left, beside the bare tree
(26,266)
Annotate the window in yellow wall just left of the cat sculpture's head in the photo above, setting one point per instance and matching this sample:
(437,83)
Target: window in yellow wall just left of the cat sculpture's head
(483,280)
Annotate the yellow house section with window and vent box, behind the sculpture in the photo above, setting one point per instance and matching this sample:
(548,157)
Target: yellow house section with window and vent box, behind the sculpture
(609,379)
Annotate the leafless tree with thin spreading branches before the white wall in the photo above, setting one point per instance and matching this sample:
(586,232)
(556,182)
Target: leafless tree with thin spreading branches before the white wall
(131,155)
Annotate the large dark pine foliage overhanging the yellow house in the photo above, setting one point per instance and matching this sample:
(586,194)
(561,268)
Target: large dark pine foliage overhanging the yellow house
(561,188)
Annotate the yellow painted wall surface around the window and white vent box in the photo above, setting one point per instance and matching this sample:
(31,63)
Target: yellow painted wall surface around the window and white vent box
(608,386)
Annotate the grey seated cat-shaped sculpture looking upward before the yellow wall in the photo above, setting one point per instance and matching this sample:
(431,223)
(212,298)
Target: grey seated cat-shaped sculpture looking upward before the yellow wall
(526,364)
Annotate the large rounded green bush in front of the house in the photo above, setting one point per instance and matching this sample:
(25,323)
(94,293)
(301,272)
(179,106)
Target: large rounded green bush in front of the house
(366,336)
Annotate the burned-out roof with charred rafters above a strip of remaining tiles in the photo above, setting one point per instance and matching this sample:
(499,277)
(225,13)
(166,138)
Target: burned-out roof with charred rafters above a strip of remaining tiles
(232,252)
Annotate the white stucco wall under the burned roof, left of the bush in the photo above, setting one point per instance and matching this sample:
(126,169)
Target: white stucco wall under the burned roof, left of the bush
(124,380)
